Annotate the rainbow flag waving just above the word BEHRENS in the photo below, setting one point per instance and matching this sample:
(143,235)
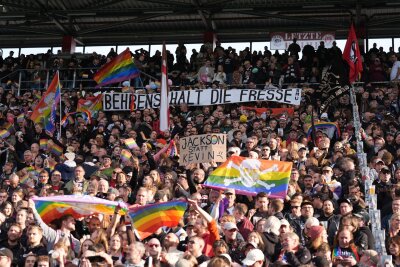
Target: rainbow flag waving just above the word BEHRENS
(121,68)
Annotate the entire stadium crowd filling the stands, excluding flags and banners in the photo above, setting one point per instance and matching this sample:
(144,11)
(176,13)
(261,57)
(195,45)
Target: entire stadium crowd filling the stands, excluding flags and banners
(323,221)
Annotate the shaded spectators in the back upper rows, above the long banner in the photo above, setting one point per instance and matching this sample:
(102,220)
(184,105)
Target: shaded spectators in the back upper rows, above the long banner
(221,67)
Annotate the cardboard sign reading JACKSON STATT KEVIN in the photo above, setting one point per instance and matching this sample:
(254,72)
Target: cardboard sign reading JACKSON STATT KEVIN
(202,148)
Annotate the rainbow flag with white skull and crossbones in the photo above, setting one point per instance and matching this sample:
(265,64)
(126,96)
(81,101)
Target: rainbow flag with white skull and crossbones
(252,176)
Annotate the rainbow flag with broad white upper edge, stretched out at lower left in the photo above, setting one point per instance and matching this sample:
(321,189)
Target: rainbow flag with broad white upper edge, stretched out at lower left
(50,208)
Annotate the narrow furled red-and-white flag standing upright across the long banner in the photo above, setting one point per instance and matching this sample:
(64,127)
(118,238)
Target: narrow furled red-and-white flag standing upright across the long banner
(164,106)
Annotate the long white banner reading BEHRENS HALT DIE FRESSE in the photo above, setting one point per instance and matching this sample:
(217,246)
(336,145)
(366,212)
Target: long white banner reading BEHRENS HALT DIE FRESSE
(205,97)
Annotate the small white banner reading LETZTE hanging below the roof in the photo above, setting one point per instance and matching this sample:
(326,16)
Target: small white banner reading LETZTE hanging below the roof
(282,40)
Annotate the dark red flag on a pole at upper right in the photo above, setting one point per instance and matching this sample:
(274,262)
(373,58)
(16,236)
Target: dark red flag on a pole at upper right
(352,56)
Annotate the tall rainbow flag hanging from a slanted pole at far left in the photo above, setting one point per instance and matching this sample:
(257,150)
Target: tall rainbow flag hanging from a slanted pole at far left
(45,110)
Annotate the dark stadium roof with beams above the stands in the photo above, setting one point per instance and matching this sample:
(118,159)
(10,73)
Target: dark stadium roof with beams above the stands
(27,23)
